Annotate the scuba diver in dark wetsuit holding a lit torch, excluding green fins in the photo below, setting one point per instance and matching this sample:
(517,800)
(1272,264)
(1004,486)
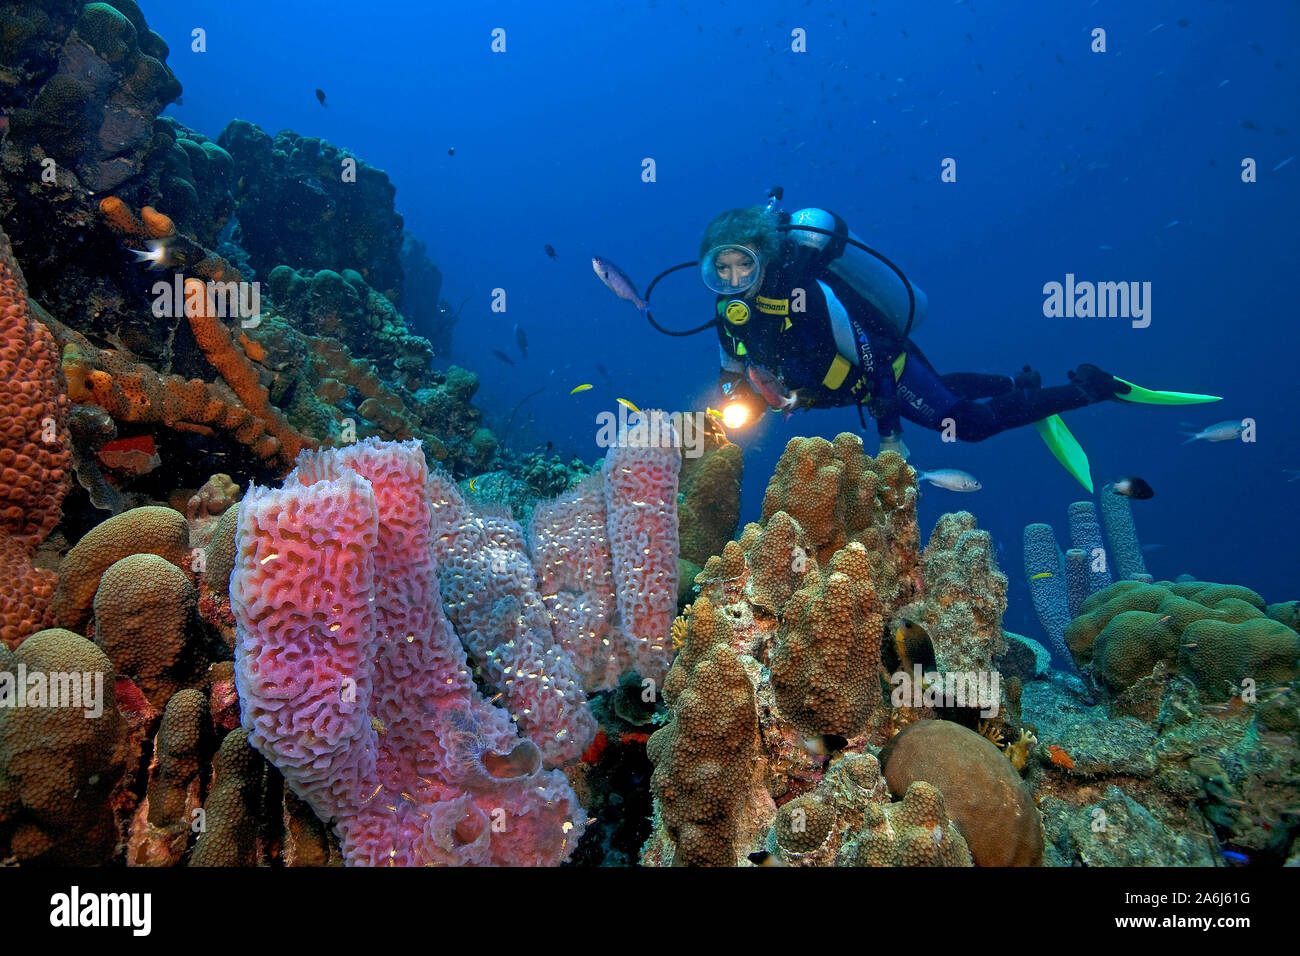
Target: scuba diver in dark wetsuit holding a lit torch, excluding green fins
(808,321)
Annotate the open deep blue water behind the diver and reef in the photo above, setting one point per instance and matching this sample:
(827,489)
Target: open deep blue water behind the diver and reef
(1117,166)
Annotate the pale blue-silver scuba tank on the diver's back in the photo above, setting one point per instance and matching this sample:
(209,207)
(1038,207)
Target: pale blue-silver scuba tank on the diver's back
(865,272)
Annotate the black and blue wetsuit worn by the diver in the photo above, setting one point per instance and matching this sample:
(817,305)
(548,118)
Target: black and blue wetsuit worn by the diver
(840,351)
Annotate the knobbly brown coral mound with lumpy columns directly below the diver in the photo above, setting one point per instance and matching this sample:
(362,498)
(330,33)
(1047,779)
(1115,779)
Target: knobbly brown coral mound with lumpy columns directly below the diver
(775,699)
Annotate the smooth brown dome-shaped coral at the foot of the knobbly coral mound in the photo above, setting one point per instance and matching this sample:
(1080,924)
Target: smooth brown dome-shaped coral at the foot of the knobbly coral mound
(981,789)
